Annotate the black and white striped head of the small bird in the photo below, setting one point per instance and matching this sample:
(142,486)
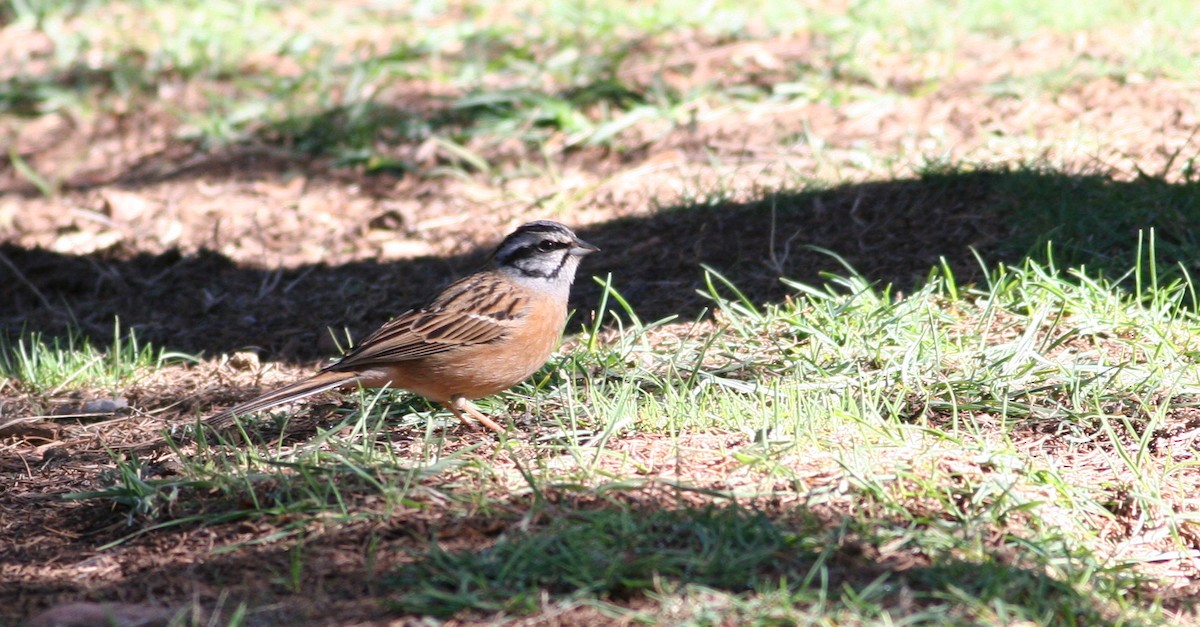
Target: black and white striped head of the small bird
(542,252)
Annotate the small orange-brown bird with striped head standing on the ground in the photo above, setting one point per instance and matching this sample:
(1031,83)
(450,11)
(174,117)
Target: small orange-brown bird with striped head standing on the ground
(483,335)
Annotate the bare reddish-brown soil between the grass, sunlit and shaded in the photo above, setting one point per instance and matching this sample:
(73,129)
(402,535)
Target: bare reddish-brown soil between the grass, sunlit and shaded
(254,248)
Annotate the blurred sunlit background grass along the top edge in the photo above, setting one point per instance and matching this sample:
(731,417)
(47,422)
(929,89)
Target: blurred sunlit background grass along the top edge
(328,88)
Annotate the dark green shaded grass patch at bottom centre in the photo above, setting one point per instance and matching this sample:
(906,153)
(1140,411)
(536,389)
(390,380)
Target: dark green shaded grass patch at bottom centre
(607,553)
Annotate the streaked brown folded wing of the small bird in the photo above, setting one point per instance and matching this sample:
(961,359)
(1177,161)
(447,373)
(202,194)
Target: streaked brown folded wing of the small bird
(476,310)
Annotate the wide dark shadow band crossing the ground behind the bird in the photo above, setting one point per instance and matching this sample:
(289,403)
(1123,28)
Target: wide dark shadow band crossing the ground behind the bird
(892,232)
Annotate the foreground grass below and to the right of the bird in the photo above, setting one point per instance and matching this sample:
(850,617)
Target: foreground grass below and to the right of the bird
(880,431)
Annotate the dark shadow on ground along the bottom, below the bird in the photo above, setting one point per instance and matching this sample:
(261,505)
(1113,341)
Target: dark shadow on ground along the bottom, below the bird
(484,566)
